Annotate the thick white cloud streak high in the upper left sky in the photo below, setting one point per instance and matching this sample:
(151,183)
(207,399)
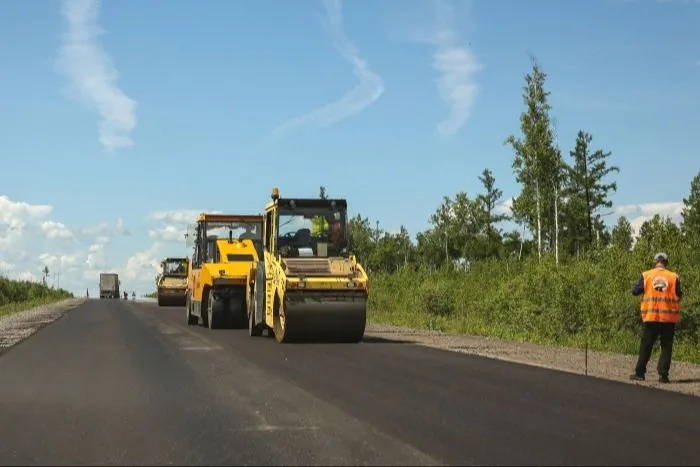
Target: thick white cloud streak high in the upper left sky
(93,75)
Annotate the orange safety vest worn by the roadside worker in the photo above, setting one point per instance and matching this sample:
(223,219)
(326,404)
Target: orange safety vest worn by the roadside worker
(660,302)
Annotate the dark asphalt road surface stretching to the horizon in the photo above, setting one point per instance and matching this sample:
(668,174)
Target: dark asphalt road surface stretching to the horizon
(125,383)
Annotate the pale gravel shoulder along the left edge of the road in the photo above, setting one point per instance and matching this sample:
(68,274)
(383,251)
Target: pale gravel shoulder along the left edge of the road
(16,327)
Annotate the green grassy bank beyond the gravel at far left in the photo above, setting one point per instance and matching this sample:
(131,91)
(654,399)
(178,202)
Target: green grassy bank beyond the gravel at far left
(22,295)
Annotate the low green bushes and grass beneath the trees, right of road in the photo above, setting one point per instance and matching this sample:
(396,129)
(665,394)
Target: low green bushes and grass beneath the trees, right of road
(583,300)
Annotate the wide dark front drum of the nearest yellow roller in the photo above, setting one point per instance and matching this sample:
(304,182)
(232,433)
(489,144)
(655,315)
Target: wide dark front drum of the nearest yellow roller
(327,316)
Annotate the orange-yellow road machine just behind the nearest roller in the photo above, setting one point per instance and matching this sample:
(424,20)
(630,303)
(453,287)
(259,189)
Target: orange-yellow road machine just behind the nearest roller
(225,248)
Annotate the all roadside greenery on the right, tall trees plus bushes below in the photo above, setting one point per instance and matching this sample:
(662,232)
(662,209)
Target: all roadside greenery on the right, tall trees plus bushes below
(569,283)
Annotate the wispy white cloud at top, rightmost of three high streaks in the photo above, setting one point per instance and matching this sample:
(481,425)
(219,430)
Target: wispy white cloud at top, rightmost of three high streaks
(458,66)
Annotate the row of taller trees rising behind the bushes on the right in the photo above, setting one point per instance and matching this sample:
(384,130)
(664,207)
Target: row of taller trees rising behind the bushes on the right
(562,203)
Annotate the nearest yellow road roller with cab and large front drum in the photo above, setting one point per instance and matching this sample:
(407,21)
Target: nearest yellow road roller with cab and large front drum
(307,287)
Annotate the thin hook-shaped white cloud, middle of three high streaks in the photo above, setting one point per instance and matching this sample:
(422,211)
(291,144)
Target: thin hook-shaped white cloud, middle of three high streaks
(370,88)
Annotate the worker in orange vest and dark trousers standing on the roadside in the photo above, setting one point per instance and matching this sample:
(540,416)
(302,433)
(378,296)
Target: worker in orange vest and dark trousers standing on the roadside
(660,310)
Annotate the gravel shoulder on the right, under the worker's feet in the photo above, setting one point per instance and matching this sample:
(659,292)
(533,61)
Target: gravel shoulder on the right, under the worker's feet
(685,377)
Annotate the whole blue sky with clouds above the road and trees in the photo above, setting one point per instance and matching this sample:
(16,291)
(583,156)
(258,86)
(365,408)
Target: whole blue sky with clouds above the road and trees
(209,97)
